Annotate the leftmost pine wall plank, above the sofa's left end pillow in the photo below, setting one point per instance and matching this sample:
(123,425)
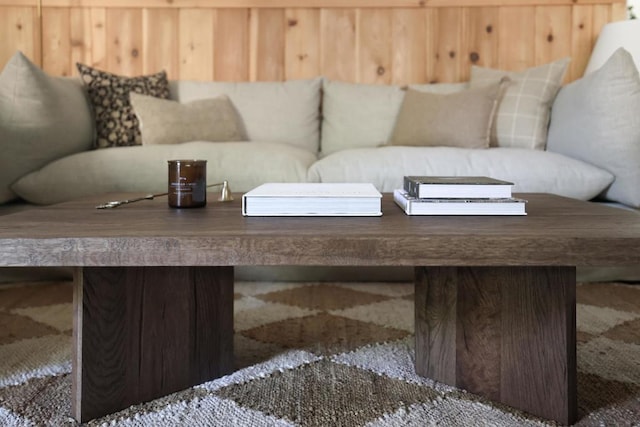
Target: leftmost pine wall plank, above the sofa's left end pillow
(19,30)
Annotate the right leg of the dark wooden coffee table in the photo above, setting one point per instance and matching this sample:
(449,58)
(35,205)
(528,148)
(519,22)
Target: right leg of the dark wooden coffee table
(506,333)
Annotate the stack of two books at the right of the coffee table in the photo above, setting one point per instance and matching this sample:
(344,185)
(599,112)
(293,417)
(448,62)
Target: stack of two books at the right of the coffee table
(466,195)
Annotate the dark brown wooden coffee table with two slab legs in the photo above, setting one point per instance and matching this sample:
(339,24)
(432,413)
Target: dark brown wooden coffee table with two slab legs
(153,300)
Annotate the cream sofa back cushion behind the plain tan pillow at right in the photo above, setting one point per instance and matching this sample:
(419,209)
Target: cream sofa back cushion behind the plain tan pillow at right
(357,115)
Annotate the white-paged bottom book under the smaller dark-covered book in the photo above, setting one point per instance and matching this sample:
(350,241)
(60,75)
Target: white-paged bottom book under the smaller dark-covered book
(501,206)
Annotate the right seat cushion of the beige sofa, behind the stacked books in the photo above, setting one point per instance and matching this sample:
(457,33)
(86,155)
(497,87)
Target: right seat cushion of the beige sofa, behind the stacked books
(532,171)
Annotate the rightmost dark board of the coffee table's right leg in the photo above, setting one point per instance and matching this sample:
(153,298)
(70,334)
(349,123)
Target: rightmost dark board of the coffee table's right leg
(538,362)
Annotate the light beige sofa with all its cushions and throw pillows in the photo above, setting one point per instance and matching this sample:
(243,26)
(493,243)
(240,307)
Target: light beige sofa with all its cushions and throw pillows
(65,138)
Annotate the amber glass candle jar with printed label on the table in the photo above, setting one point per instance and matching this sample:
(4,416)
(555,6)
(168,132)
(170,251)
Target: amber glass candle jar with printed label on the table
(187,183)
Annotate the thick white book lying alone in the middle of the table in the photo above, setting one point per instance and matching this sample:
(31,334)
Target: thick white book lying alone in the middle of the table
(312,199)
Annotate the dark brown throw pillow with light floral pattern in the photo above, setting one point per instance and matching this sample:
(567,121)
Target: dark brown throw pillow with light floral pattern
(116,123)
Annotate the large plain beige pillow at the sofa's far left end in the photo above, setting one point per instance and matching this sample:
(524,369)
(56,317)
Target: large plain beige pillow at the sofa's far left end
(42,118)
